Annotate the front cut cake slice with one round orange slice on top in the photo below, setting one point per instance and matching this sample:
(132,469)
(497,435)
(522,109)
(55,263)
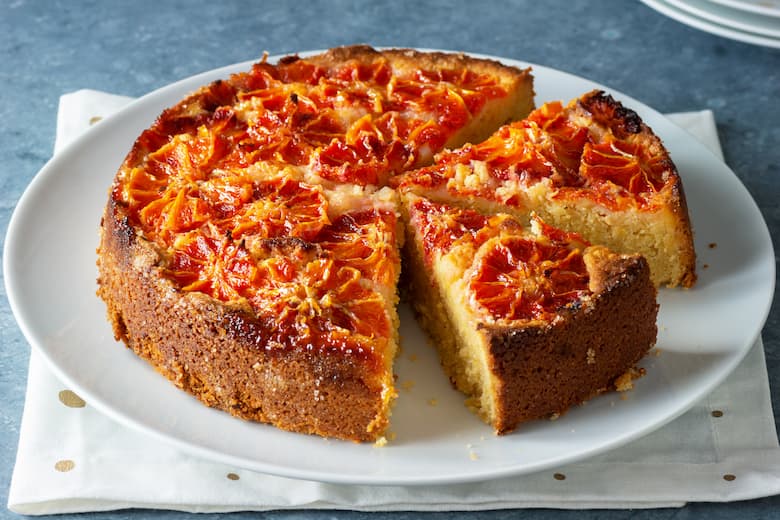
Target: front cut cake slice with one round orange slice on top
(528,319)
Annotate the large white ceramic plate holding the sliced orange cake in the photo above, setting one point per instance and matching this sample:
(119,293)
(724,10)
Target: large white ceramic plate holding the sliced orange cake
(704,332)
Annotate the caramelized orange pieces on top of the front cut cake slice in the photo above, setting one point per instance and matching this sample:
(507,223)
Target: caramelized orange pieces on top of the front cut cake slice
(515,274)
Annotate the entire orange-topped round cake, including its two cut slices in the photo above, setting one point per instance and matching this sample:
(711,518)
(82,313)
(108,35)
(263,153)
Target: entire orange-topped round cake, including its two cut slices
(252,242)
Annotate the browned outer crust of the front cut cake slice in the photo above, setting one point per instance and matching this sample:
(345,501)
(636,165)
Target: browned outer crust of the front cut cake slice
(542,371)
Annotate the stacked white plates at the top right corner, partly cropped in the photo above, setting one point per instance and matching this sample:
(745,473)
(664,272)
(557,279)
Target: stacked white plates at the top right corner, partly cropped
(750,21)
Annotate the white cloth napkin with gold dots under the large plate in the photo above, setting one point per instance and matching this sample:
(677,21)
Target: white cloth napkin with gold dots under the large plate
(73,459)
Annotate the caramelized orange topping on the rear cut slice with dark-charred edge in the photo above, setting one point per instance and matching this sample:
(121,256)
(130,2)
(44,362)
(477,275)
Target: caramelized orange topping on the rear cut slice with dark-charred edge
(572,148)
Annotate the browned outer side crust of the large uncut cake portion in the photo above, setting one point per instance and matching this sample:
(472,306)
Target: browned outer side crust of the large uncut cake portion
(216,351)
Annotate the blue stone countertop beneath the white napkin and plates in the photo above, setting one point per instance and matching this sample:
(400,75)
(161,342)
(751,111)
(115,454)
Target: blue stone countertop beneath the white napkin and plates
(48,48)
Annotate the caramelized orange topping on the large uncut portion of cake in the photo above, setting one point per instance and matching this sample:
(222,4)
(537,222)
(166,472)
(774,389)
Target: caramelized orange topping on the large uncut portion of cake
(196,184)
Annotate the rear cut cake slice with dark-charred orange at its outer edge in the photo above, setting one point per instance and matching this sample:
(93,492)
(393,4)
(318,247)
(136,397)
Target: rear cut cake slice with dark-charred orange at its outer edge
(592,167)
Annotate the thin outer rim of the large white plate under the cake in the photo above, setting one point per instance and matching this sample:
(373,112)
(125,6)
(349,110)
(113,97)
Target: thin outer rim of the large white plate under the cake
(40,178)
